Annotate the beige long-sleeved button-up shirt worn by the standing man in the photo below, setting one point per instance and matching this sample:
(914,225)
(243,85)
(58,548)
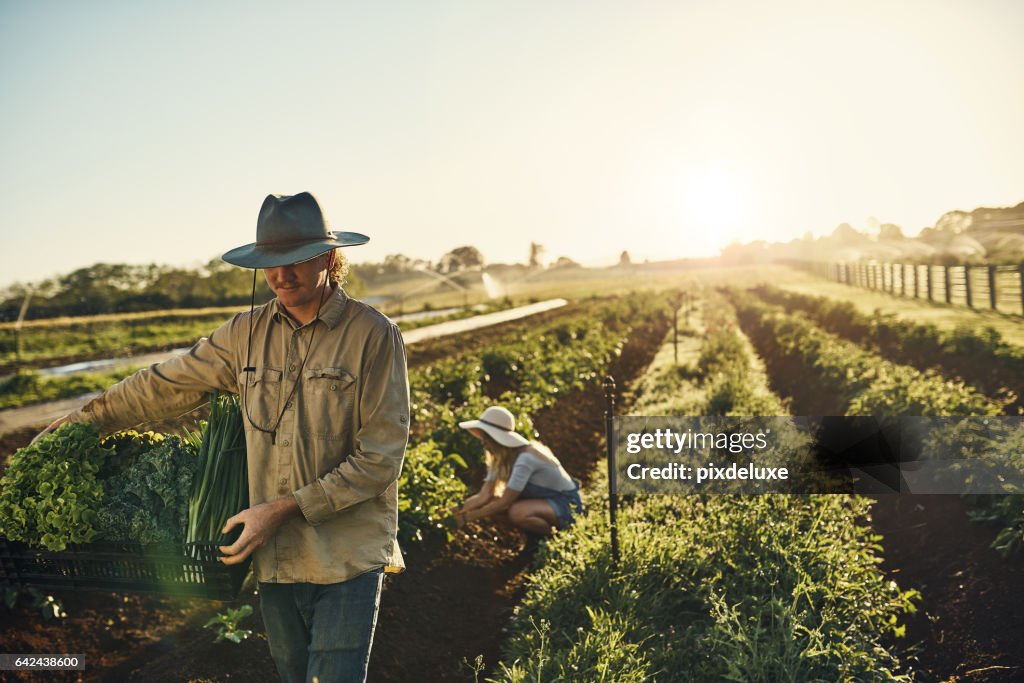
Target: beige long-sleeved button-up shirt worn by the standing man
(340,388)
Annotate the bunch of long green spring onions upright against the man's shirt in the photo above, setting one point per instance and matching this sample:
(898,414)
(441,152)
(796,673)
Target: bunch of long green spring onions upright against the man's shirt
(221,489)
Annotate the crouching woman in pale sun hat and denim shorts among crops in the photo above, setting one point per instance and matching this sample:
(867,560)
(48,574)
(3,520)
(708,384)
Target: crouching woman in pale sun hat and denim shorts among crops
(524,479)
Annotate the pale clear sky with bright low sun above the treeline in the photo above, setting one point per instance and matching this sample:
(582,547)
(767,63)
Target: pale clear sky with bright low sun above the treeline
(151,132)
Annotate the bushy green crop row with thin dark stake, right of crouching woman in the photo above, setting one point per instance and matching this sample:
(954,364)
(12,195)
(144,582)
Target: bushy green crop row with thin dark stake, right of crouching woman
(712,588)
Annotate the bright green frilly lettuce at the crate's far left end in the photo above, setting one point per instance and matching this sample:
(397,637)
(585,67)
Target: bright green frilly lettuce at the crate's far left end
(51,492)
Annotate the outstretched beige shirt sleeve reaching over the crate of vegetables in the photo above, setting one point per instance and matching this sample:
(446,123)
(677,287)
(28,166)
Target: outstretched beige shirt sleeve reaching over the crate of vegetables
(170,389)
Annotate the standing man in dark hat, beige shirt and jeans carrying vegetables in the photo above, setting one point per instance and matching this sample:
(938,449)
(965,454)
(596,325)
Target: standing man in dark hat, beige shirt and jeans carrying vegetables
(325,393)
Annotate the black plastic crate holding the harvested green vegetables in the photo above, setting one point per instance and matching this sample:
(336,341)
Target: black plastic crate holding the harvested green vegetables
(189,571)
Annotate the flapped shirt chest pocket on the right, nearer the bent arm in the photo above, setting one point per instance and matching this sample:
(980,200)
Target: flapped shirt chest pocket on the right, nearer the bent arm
(328,403)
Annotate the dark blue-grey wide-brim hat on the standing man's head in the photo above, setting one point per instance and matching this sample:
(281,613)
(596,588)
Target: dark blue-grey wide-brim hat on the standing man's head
(291,229)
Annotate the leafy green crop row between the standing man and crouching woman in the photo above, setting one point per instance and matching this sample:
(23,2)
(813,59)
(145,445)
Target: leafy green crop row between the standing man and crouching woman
(526,374)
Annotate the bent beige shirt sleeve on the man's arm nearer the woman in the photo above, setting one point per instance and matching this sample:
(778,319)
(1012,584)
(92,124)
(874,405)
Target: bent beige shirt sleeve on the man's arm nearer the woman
(381,436)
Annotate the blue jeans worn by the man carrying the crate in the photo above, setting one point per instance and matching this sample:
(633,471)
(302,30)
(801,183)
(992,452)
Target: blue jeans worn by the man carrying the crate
(322,632)
